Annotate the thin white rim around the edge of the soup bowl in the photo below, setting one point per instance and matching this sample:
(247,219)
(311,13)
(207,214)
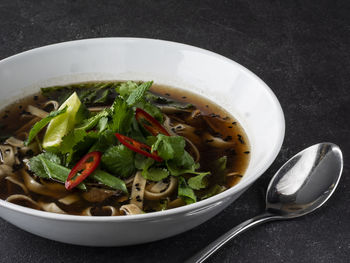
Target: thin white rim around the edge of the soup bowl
(179,210)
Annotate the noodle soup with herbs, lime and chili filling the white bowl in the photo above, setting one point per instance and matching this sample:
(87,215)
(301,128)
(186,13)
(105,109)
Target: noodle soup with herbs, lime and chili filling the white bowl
(117,148)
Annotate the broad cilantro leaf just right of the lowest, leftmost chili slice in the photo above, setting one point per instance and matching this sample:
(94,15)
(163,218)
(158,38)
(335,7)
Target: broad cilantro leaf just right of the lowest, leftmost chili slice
(119,160)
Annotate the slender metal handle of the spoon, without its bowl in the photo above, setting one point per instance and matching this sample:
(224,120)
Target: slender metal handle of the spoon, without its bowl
(206,252)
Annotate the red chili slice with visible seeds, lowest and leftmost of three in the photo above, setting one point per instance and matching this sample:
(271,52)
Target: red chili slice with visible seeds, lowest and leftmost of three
(83,169)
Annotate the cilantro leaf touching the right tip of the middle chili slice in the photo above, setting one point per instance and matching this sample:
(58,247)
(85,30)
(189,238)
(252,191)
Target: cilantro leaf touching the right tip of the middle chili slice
(169,147)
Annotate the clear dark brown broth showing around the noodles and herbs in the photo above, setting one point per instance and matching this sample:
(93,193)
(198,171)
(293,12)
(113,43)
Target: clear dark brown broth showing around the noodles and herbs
(226,127)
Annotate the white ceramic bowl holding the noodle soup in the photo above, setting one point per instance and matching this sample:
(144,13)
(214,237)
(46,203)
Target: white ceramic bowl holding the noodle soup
(213,76)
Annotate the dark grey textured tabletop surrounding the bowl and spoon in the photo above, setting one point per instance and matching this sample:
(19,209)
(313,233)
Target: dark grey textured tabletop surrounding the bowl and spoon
(301,50)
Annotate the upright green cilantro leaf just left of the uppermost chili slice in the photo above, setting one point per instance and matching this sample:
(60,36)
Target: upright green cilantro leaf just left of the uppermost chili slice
(122,116)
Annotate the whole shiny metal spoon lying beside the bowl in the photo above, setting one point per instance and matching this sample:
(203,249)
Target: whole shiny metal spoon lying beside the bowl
(299,187)
